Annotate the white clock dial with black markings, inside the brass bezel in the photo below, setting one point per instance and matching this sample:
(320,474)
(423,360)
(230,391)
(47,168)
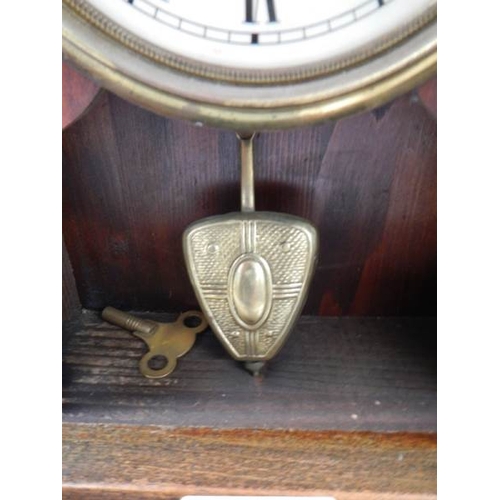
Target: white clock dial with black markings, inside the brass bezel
(263,34)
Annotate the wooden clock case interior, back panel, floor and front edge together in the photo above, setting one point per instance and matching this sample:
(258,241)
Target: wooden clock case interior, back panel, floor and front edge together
(348,408)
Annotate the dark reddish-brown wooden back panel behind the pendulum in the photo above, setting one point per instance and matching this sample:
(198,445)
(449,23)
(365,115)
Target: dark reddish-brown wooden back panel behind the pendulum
(132,181)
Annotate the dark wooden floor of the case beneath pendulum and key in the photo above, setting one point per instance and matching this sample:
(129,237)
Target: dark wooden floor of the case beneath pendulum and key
(347,374)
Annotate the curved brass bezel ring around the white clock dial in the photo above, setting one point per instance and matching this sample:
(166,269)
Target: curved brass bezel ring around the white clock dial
(98,49)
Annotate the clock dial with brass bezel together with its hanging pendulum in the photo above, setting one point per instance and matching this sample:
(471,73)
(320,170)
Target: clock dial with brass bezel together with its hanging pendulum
(251,65)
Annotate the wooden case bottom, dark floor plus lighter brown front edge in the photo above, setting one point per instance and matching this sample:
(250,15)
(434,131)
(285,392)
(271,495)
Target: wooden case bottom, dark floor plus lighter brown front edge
(348,409)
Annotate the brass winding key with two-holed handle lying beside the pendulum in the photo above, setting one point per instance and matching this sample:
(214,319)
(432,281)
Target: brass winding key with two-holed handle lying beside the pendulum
(166,341)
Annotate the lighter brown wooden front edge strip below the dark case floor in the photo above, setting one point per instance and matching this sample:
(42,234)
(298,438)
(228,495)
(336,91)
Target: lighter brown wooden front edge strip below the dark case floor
(107,461)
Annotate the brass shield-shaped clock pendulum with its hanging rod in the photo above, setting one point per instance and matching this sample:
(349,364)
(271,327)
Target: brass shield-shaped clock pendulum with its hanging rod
(251,272)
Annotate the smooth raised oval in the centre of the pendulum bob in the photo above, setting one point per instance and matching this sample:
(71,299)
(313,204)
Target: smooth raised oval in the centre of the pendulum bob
(250,286)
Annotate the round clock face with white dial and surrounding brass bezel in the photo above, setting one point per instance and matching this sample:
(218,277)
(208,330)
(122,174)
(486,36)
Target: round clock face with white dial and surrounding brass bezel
(248,63)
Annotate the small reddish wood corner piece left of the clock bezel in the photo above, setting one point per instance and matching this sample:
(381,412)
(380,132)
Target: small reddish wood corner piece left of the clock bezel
(78,93)
